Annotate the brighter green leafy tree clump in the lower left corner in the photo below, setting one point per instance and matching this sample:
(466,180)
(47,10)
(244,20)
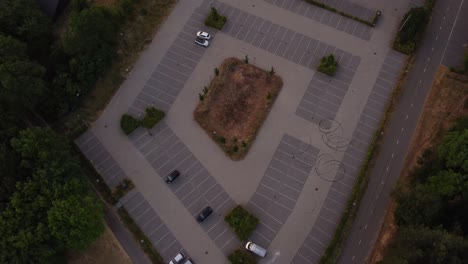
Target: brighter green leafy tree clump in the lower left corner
(52,211)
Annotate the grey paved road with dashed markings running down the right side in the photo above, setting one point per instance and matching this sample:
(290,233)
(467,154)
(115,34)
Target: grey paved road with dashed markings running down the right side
(384,175)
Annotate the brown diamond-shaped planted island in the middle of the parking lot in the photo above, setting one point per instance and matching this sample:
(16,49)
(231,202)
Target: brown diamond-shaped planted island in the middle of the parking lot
(235,104)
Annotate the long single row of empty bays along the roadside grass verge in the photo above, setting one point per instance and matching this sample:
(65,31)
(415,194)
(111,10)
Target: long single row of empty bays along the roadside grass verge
(328,217)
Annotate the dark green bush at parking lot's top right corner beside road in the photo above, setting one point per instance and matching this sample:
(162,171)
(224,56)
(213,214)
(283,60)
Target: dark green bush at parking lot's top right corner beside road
(413,25)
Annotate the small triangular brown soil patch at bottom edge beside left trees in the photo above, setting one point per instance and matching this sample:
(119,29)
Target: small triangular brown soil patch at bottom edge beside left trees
(106,249)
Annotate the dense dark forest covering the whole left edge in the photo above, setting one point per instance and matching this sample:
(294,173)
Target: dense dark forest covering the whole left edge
(46,206)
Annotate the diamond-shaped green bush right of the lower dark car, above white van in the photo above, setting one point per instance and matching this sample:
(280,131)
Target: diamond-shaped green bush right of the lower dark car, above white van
(242,222)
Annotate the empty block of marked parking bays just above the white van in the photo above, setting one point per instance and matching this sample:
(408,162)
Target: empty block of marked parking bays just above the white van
(280,187)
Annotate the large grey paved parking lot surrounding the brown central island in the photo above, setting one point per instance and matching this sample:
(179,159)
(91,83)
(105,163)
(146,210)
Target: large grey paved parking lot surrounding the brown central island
(306,155)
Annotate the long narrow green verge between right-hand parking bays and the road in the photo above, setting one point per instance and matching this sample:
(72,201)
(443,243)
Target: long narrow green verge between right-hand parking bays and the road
(333,250)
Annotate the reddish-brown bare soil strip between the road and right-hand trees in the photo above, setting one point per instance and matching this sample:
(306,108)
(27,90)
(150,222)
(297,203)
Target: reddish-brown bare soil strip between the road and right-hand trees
(445,103)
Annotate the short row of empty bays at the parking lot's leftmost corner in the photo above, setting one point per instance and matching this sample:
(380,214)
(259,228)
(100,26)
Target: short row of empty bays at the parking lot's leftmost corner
(101,159)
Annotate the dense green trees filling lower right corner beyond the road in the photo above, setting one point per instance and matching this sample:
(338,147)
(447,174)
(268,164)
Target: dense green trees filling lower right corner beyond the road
(432,207)
